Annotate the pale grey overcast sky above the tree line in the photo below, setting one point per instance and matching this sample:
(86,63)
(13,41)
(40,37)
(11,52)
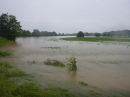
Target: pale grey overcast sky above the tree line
(69,16)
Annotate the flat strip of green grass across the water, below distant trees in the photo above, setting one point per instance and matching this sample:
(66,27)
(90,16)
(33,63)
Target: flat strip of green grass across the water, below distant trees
(96,39)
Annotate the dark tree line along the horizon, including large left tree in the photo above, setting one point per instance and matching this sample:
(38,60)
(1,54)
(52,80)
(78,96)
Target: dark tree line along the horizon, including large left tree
(10,28)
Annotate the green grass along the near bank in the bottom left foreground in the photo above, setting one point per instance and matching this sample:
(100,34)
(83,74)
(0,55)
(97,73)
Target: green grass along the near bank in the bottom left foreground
(9,88)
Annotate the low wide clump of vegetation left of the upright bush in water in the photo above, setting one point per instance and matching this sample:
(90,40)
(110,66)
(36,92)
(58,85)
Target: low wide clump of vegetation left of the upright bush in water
(54,63)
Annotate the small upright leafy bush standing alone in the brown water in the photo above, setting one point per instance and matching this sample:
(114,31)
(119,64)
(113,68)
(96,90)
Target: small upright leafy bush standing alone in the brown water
(72,63)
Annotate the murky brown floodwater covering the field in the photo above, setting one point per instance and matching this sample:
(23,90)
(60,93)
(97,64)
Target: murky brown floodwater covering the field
(100,64)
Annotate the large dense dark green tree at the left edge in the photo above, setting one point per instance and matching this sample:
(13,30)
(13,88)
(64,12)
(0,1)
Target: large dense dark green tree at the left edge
(9,26)
